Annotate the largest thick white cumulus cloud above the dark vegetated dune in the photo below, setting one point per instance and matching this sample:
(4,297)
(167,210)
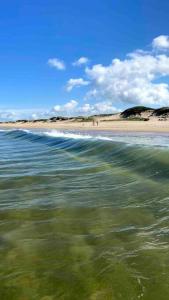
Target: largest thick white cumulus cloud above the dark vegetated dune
(134,80)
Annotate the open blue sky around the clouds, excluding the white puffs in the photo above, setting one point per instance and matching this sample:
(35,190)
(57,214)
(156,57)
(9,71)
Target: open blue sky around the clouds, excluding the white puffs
(32,32)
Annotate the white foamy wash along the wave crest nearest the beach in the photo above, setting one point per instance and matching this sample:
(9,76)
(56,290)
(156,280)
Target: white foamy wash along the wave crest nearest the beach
(144,139)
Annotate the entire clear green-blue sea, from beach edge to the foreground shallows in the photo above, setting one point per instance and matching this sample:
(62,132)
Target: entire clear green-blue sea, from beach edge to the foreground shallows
(84,216)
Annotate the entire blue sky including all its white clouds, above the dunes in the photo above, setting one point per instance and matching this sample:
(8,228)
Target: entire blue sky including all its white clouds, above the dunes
(72,57)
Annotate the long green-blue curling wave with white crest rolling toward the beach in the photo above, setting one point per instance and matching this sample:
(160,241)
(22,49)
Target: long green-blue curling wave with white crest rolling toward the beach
(150,161)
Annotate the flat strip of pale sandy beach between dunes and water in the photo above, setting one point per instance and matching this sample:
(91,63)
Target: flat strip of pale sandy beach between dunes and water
(114,126)
